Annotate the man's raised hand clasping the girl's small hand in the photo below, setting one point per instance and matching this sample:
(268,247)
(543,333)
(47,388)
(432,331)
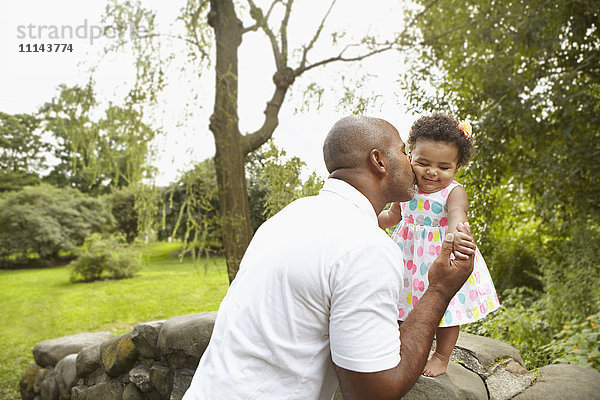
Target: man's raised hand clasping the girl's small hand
(446,276)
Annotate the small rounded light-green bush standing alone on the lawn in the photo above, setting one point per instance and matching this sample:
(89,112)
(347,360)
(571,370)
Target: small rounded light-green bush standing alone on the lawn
(104,257)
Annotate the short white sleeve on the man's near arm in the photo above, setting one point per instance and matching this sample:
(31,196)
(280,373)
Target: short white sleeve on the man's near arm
(363,328)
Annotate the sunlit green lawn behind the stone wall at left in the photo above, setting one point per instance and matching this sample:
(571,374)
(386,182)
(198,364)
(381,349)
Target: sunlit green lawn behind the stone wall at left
(39,304)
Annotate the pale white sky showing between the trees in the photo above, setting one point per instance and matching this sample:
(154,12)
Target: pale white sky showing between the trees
(28,80)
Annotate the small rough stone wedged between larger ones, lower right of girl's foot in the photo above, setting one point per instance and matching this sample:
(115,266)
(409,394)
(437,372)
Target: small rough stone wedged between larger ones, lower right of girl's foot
(507,379)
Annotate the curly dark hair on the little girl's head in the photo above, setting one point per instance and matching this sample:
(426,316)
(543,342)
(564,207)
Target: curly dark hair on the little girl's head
(442,128)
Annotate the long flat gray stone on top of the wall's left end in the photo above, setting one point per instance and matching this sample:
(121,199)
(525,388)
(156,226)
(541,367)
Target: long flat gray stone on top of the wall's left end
(49,352)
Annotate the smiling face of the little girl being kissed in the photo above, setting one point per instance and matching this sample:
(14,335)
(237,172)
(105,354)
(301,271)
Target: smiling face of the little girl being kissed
(434,164)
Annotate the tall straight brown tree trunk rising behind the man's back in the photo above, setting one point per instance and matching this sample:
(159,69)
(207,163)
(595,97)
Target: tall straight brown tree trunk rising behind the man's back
(230,153)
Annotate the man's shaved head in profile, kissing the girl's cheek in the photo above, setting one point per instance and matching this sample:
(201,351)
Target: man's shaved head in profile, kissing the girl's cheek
(368,152)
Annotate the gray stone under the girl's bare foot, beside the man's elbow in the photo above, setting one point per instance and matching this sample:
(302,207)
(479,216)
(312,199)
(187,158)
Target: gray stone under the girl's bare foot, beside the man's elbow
(457,383)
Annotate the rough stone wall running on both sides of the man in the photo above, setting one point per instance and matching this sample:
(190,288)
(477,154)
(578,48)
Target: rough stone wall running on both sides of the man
(157,360)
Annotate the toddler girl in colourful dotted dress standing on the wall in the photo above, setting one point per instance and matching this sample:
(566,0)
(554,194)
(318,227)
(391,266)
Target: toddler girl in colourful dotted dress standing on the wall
(438,146)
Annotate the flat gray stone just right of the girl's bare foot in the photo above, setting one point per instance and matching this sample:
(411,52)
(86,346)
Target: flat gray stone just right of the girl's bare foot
(485,350)
